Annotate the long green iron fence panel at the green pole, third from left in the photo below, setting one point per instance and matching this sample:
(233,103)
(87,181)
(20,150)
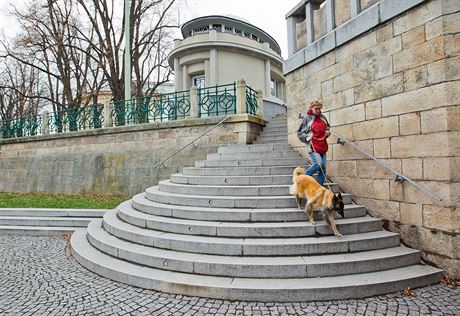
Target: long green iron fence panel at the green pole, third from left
(164,107)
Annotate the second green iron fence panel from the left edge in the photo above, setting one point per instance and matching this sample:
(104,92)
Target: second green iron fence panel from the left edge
(76,119)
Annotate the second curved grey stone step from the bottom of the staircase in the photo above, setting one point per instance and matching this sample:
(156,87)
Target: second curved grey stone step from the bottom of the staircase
(251,266)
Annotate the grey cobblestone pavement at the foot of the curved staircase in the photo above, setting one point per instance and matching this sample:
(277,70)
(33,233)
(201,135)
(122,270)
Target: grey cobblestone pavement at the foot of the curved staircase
(37,277)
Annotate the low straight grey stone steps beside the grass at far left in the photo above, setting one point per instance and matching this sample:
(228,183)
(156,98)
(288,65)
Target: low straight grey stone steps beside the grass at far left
(45,222)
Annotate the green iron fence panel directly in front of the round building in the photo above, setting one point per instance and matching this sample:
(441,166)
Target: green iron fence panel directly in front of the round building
(218,100)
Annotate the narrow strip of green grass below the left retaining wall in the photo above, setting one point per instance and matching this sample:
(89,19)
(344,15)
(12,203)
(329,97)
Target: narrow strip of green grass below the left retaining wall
(56,200)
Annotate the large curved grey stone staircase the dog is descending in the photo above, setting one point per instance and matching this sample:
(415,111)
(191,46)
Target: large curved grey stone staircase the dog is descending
(228,228)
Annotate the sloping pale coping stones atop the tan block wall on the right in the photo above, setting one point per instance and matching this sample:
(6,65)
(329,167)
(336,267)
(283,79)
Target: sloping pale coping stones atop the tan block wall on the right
(365,21)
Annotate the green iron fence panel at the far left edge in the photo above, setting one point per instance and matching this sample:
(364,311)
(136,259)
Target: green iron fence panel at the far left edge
(30,125)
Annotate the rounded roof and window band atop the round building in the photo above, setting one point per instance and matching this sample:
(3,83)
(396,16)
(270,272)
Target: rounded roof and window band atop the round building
(239,25)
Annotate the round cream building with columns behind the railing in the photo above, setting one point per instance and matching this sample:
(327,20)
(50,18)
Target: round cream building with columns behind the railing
(218,50)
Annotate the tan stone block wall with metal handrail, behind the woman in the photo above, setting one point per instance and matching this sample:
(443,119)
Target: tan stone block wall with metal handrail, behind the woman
(395,92)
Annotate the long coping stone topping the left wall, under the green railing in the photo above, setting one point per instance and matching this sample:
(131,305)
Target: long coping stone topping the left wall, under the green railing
(189,122)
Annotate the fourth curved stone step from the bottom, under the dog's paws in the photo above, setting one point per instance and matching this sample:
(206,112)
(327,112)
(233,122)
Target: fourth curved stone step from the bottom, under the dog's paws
(244,229)
